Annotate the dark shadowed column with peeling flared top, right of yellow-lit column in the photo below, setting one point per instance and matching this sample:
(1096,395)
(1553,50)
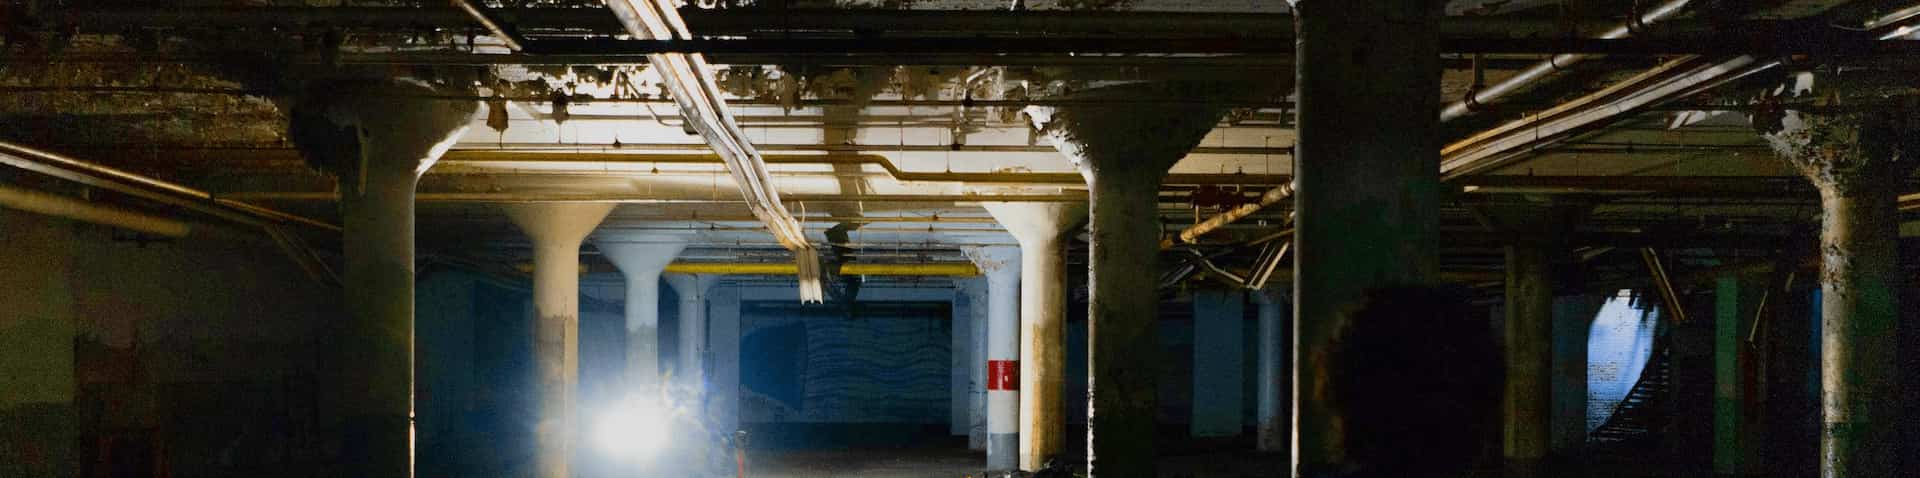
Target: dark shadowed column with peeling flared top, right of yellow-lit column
(1124,151)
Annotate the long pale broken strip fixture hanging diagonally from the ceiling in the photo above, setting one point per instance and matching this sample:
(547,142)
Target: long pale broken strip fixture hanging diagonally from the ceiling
(694,89)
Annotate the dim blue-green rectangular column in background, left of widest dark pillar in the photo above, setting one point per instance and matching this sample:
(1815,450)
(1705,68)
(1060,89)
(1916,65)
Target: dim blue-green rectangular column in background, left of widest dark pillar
(1220,366)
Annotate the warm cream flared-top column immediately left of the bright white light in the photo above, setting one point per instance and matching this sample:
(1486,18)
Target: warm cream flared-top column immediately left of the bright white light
(558,231)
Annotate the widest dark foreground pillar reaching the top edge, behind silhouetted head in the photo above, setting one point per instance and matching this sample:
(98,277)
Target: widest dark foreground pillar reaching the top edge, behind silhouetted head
(1368,183)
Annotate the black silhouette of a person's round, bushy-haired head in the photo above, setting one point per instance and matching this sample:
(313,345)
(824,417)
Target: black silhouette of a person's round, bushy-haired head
(1416,379)
